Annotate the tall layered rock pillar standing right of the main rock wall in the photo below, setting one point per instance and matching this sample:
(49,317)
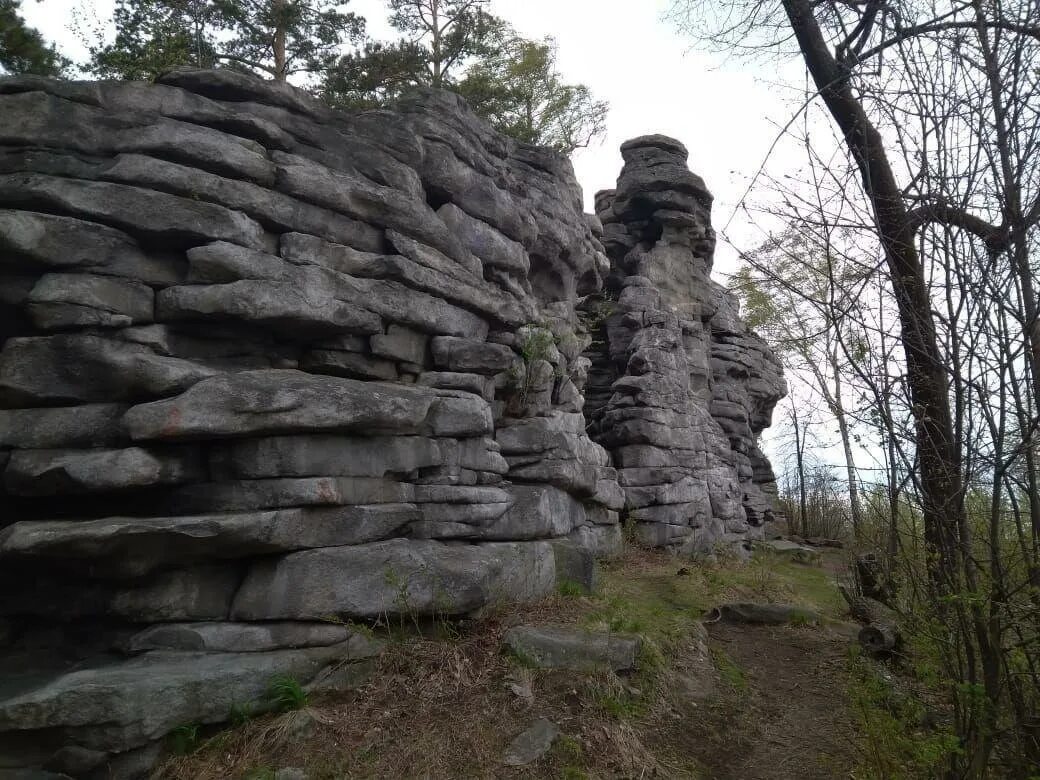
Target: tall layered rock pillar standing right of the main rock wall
(679,388)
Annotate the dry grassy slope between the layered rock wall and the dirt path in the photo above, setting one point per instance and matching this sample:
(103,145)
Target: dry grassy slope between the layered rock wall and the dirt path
(446,701)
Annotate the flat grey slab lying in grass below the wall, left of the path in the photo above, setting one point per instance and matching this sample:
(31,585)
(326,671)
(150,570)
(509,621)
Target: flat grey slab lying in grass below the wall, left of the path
(569,647)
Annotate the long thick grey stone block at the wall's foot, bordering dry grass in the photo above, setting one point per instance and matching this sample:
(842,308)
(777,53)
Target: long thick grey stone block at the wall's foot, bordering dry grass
(395,578)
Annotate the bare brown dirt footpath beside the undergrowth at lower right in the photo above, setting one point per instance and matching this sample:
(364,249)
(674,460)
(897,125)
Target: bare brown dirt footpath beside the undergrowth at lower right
(794,721)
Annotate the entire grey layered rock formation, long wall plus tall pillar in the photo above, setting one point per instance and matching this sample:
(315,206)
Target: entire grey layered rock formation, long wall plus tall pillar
(270,369)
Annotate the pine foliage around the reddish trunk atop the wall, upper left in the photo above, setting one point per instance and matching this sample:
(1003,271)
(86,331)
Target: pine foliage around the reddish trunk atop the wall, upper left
(274,38)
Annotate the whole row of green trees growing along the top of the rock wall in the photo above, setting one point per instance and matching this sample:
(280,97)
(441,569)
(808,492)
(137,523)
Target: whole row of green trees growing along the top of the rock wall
(511,82)
